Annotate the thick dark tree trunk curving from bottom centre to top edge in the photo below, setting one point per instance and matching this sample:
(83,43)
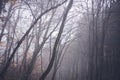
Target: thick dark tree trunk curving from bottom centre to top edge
(44,75)
